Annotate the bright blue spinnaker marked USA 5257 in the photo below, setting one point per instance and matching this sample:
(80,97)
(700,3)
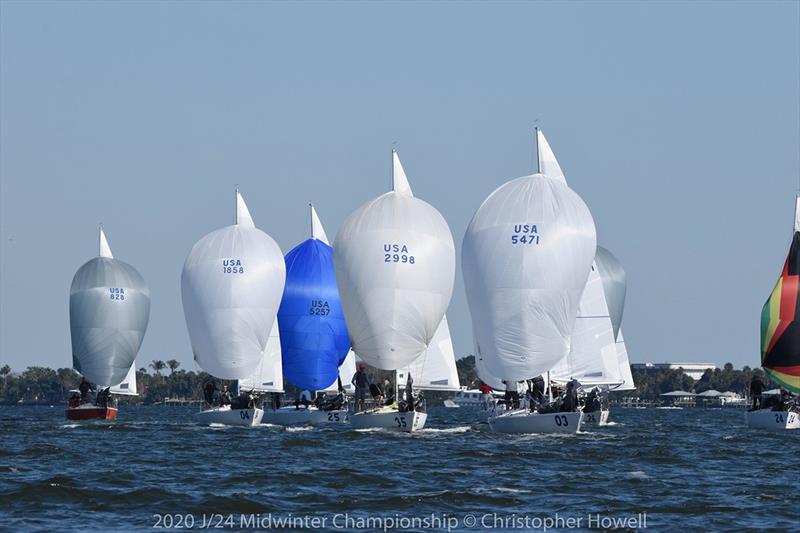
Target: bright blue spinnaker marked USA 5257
(314,338)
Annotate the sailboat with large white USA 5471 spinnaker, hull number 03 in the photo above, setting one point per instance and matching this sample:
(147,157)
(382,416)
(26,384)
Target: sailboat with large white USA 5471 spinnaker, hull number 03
(527,254)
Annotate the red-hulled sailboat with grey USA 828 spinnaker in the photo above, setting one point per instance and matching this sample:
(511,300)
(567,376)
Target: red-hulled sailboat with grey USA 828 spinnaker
(109,307)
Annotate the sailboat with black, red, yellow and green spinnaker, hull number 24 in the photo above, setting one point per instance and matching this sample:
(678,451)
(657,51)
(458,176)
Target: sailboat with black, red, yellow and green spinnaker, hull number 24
(780,340)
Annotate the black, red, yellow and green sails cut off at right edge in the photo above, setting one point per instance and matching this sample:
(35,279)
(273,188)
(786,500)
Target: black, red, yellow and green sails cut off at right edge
(780,329)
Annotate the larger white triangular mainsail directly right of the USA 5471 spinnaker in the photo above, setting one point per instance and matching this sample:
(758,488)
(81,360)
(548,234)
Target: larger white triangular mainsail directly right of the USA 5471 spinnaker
(592,359)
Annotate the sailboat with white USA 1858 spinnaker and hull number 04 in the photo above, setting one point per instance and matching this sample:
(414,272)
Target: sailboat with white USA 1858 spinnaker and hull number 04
(231,286)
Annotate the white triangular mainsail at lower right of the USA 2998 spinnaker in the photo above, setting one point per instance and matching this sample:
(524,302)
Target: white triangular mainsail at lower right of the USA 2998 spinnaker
(435,368)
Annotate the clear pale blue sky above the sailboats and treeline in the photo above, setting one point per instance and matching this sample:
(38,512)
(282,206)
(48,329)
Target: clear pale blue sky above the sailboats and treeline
(677,122)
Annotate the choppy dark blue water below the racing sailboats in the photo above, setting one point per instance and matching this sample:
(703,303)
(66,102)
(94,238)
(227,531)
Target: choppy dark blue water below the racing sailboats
(693,469)
